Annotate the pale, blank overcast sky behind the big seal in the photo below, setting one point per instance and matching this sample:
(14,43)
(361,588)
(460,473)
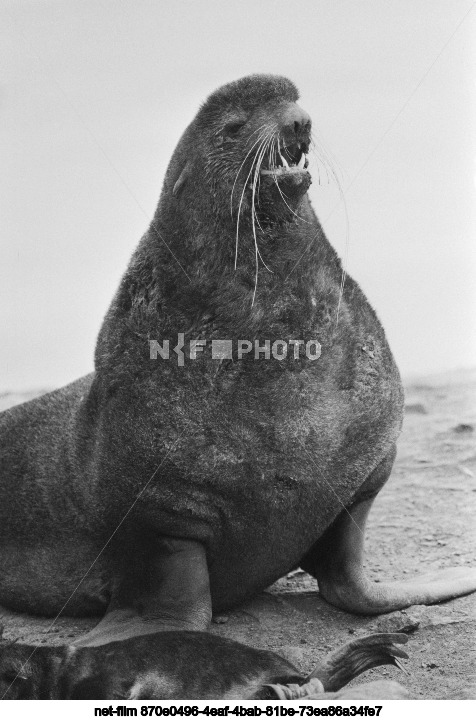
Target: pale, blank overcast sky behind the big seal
(95,95)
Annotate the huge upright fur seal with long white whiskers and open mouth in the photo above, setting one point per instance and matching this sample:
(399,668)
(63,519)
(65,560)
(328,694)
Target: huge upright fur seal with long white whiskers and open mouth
(158,489)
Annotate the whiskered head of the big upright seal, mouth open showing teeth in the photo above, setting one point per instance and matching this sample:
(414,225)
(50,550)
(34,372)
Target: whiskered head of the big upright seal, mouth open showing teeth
(248,145)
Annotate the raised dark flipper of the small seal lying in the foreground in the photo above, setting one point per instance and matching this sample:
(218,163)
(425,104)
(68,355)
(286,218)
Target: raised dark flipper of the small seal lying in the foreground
(347,662)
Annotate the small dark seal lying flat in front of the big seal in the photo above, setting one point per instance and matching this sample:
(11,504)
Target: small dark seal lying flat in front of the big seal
(187,665)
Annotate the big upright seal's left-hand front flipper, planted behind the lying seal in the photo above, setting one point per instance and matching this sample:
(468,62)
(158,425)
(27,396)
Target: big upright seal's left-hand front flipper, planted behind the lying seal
(167,590)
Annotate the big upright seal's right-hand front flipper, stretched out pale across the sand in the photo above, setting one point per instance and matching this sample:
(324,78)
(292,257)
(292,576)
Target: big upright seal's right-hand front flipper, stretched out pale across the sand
(336,560)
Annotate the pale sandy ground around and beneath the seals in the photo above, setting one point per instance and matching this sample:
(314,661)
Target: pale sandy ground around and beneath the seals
(421,521)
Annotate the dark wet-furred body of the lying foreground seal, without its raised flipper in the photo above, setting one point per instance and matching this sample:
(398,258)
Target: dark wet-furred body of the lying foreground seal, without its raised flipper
(184,665)
